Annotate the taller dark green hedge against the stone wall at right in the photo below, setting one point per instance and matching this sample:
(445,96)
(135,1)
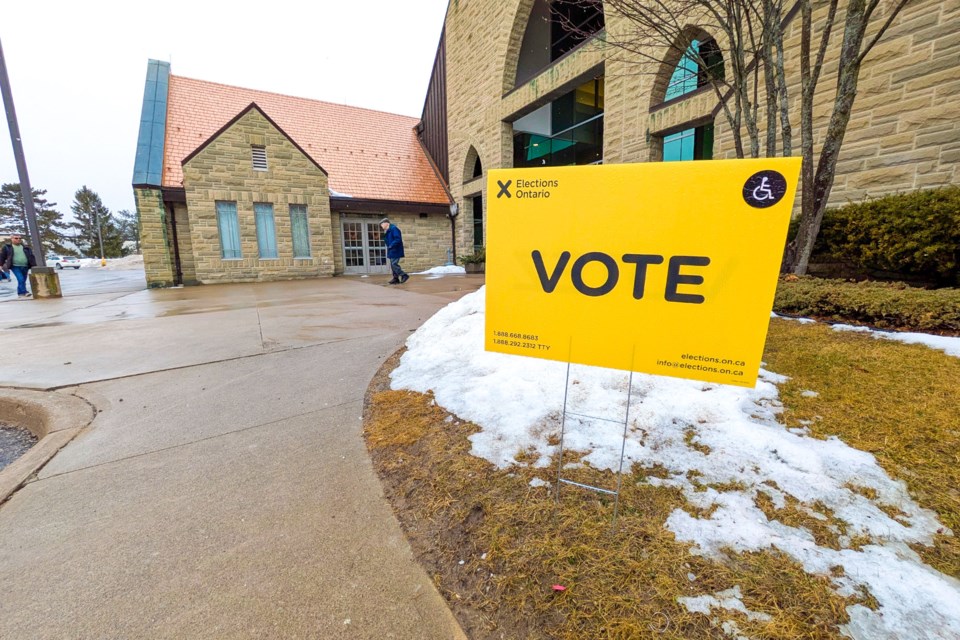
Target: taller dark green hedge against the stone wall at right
(914,235)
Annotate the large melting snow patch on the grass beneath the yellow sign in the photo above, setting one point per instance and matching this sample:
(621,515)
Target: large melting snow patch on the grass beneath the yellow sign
(701,434)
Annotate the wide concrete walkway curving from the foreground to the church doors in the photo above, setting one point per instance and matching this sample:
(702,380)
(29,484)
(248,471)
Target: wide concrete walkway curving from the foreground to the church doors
(223,490)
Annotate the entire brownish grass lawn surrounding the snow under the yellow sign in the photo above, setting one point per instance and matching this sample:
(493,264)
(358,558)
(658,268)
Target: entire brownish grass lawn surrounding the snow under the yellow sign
(496,546)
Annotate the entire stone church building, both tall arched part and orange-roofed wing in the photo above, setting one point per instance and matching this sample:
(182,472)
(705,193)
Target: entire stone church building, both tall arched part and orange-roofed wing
(510,87)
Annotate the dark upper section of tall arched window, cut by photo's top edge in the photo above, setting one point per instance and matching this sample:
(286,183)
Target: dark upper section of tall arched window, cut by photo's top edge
(556,27)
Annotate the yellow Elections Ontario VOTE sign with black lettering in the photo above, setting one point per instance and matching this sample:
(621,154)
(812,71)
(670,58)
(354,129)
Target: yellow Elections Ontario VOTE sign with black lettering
(662,268)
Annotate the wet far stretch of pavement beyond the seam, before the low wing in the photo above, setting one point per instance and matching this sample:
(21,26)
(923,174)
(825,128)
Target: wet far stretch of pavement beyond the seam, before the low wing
(109,335)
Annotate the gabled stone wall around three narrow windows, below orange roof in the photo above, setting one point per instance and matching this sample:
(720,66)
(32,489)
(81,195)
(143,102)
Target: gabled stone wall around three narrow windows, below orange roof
(223,171)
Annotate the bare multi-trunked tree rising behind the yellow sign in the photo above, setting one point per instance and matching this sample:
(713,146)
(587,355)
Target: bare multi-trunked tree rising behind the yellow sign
(754,31)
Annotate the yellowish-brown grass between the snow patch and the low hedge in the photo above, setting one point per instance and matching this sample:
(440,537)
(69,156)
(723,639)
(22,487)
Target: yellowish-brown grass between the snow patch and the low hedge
(899,402)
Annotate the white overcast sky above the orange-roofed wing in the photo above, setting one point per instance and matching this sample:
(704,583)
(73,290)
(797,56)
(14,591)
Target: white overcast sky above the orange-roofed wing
(77,71)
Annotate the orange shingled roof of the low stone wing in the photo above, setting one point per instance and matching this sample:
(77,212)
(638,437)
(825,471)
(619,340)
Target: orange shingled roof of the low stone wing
(367,154)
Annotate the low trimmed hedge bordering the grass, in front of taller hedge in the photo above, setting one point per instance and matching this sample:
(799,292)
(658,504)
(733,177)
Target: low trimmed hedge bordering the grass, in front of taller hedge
(882,305)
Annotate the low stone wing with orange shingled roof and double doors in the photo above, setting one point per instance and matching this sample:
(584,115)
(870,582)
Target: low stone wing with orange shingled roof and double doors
(238,185)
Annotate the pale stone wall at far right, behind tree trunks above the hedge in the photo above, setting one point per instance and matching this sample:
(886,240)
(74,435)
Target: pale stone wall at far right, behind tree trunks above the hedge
(904,132)
